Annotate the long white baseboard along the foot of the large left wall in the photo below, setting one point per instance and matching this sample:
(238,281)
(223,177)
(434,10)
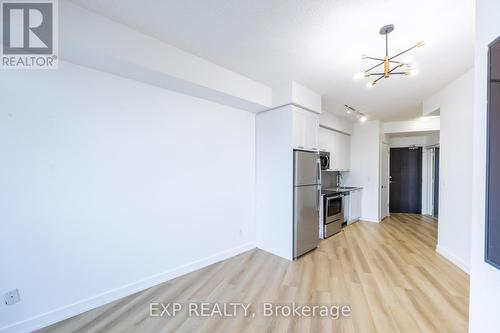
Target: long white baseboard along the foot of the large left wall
(95,301)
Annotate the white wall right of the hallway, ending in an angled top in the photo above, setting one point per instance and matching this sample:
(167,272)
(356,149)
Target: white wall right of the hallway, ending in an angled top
(455,102)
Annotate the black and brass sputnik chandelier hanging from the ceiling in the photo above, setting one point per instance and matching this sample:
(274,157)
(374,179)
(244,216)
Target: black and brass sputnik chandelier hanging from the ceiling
(398,67)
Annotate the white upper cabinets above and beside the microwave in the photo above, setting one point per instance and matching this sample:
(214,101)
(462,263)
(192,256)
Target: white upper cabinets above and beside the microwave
(339,146)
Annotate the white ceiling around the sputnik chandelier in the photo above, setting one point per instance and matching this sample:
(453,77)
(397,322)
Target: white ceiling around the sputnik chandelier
(316,43)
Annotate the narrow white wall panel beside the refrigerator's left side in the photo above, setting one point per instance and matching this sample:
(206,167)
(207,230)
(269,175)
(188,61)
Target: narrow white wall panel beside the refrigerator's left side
(274,202)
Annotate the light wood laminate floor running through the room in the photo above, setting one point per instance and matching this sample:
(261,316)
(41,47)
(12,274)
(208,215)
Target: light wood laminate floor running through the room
(388,273)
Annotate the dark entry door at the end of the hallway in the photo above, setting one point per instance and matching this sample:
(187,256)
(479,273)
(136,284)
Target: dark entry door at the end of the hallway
(406,180)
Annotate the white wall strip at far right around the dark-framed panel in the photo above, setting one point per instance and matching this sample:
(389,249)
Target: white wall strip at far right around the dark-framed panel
(485,279)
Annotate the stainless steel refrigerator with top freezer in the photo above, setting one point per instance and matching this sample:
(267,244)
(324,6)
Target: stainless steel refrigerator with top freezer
(306,201)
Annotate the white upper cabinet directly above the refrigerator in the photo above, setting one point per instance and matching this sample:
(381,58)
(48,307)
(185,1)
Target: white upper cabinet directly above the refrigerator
(305,129)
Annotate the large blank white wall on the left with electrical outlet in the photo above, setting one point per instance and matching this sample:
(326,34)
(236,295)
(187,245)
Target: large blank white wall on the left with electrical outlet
(108,186)
